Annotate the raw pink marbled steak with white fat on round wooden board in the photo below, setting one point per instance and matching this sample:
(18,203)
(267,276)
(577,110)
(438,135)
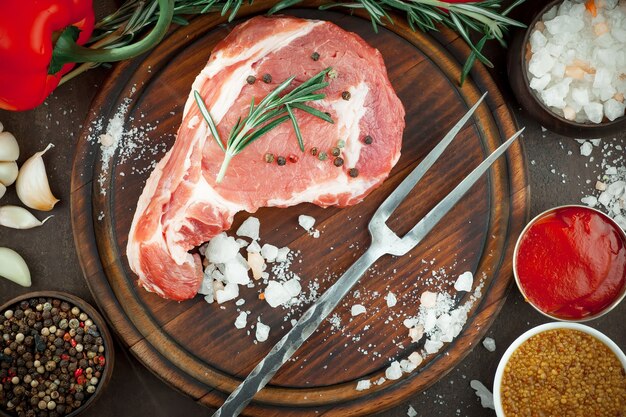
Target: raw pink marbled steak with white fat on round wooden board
(182,206)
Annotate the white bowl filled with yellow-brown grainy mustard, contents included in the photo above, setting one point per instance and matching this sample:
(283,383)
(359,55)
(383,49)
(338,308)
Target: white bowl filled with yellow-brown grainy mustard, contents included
(561,369)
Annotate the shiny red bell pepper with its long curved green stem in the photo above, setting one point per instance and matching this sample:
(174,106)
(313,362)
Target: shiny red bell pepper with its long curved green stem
(40,40)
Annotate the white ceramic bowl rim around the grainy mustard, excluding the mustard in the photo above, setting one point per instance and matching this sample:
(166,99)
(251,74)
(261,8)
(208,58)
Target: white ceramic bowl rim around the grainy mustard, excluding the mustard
(497,399)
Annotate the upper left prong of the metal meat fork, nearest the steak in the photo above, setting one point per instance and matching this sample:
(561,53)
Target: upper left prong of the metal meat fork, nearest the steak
(399,194)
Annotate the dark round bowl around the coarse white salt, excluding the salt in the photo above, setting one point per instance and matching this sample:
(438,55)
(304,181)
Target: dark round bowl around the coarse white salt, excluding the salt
(518,78)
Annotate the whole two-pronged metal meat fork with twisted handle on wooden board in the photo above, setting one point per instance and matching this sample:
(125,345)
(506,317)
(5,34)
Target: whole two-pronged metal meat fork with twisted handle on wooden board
(384,241)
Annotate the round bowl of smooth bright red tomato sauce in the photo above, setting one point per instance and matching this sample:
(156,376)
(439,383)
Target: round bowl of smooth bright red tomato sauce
(570,263)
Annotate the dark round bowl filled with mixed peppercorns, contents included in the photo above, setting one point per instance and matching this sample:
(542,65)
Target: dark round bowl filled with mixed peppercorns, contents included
(56,355)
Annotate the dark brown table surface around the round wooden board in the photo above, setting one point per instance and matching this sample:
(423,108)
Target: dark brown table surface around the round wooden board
(134,391)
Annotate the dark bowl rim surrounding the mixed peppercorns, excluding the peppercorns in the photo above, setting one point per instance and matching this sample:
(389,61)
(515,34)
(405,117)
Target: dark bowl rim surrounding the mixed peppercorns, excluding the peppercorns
(98,320)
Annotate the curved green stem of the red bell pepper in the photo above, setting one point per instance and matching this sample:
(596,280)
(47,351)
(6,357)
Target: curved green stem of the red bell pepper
(67,51)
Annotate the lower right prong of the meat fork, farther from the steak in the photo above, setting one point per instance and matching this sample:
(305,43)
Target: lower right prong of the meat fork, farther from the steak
(426,224)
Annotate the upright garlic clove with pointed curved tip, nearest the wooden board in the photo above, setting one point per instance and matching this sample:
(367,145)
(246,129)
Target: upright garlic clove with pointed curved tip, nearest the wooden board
(32,184)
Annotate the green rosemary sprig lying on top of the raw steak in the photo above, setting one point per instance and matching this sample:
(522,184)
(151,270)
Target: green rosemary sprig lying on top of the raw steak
(270,112)
